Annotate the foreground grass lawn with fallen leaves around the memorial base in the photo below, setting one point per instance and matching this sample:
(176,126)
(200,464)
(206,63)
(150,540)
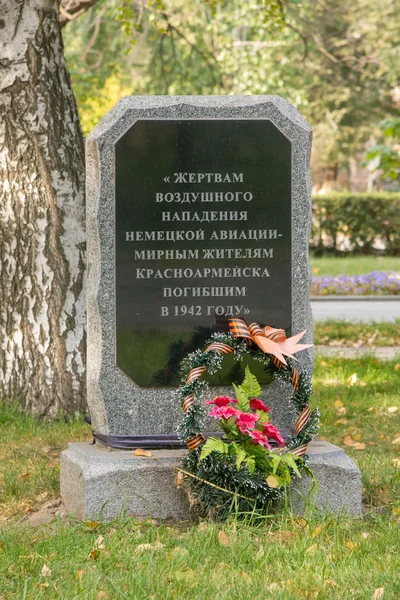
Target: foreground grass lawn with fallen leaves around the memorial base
(332,558)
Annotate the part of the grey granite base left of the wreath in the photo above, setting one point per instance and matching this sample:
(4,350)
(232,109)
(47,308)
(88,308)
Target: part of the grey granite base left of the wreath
(100,483)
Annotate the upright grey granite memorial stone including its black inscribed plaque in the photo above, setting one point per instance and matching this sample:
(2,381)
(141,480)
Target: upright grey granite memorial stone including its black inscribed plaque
(198,208)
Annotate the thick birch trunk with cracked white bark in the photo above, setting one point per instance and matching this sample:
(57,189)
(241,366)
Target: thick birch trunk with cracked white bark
(42,237)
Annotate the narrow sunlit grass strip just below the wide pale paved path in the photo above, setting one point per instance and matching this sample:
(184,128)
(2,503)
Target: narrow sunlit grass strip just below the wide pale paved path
(344,333)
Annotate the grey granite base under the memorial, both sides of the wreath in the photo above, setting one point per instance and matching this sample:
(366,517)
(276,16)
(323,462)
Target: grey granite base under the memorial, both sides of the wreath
(97,482)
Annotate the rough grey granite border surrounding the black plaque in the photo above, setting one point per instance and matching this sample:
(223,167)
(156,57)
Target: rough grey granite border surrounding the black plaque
(117,404)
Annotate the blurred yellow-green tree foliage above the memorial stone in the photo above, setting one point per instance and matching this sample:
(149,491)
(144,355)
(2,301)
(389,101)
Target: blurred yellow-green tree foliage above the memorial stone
(330,58)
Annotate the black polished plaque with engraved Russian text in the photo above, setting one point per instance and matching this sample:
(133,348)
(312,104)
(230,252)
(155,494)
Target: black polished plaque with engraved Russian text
(203,233)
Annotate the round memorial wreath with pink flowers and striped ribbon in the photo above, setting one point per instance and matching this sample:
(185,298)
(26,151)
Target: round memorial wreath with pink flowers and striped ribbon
(240,469)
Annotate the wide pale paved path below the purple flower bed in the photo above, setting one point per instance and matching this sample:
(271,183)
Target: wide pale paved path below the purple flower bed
(352,309)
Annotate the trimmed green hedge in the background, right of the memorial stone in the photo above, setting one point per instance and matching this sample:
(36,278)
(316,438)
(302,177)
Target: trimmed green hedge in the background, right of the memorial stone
(354,222)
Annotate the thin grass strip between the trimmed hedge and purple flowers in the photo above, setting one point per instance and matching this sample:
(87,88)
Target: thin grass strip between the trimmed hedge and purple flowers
(353,265)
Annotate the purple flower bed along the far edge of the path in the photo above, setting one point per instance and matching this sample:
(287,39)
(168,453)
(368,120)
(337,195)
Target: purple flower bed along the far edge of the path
(375,283)
